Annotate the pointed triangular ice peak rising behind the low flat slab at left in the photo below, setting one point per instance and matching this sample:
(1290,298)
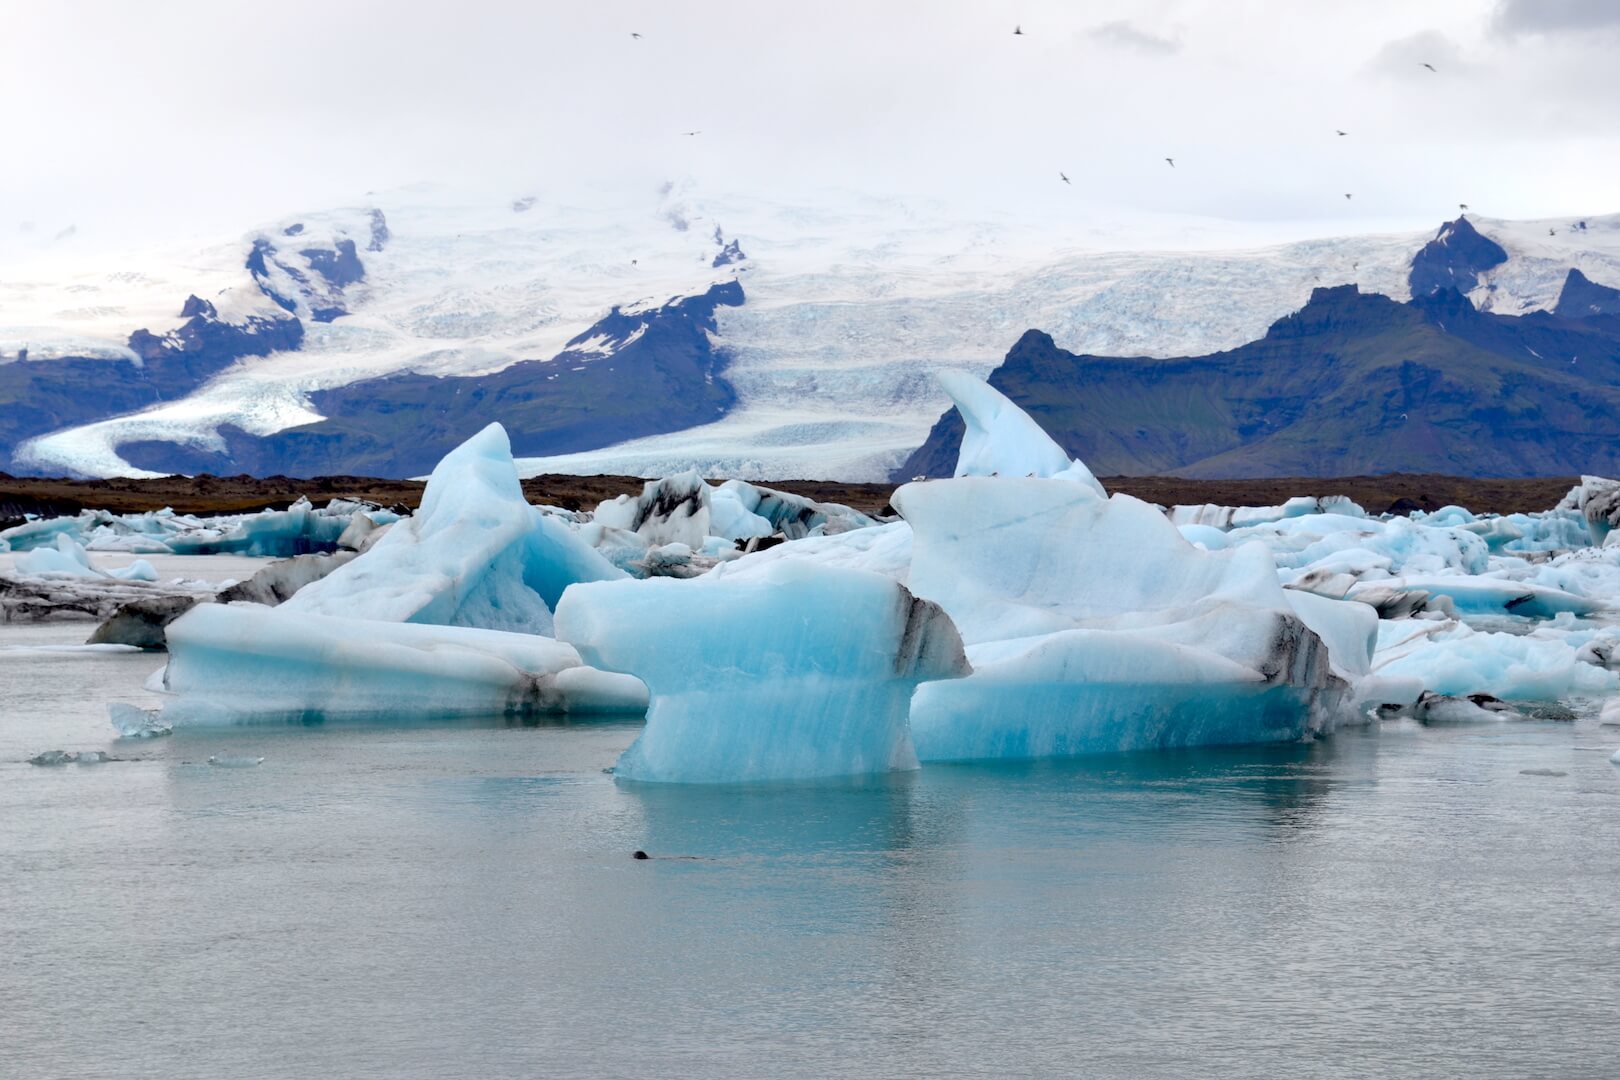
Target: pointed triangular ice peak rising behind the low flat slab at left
(475,555)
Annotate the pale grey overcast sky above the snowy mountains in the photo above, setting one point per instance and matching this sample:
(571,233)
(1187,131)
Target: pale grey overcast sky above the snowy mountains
(194,117)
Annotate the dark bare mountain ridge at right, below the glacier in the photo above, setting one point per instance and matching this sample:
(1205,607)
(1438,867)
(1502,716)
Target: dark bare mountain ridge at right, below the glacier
(1352,383)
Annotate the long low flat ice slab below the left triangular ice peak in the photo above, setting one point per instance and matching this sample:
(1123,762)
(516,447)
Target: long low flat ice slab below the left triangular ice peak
(242,661)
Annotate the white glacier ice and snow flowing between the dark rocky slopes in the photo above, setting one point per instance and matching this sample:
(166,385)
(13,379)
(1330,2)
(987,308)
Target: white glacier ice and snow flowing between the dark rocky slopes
(853,305)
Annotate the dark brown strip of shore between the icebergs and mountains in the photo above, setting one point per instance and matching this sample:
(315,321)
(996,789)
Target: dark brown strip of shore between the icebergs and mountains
(237,495)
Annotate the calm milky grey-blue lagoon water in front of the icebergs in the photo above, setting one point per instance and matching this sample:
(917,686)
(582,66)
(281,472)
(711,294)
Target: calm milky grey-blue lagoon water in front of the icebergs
(459,901)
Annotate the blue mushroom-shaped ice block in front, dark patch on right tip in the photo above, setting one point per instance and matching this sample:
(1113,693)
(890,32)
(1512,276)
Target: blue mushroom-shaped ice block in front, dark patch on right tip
(785,671)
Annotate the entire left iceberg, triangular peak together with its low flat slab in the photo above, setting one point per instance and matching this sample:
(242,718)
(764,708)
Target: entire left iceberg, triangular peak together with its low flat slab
(445,616)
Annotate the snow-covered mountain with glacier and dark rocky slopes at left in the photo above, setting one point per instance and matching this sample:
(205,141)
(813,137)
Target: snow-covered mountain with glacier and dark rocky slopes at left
(819,364)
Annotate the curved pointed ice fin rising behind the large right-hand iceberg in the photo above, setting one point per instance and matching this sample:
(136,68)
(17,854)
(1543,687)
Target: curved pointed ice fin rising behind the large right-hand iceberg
(1002,440)
